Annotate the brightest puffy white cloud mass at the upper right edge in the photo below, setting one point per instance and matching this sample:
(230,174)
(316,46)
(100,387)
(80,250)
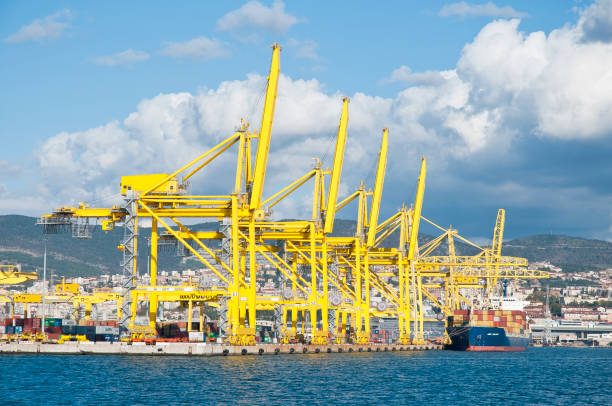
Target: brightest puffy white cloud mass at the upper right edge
(554,85)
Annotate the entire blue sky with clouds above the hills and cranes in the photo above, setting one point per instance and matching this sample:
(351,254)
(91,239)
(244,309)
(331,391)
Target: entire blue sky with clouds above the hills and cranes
(510,101)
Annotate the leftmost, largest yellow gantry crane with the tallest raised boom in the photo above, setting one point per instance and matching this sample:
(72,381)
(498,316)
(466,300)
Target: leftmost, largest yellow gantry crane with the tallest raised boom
(163,200)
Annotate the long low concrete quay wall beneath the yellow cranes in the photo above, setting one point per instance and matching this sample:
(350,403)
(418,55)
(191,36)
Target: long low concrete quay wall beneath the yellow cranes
(198,349)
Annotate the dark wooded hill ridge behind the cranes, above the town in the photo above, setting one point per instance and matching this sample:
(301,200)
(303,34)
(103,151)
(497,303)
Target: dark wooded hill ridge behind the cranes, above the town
(21,242)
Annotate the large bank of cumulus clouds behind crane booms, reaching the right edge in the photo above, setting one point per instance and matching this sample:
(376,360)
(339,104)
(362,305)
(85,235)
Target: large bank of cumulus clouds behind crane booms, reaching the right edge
(510,90)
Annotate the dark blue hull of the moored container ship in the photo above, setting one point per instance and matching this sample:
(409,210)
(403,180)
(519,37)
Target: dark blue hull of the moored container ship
(471,338)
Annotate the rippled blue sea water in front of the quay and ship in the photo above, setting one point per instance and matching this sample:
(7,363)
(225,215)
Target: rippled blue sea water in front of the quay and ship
(538,376)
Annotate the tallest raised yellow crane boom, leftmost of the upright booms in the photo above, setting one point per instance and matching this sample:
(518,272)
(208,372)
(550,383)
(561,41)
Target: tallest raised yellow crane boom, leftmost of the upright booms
(263,146)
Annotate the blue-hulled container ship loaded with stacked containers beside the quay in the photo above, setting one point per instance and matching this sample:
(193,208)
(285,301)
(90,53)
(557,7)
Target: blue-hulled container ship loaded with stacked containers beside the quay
(488,330)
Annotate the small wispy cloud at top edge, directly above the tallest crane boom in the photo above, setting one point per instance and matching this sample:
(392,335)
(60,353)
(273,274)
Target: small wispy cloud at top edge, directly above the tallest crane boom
(255,14)
